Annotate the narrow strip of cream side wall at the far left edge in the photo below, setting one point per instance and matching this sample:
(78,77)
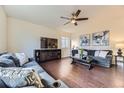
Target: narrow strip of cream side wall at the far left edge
(3,30)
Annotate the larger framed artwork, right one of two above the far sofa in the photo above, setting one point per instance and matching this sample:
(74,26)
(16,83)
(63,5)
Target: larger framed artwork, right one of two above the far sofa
(100,38)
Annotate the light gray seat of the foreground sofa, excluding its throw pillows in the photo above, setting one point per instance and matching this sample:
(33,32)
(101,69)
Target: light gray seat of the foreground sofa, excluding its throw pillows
(33,64)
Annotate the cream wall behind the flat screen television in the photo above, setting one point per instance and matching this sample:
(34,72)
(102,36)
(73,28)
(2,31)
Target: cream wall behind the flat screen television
(24,36)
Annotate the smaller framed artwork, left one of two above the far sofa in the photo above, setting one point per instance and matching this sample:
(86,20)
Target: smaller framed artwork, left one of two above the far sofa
(85,40)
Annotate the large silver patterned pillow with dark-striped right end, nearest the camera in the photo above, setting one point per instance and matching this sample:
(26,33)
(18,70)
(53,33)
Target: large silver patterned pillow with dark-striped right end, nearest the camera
(15,77)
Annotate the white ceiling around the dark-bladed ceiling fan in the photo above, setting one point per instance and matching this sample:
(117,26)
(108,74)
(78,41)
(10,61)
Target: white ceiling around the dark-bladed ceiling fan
(50,15)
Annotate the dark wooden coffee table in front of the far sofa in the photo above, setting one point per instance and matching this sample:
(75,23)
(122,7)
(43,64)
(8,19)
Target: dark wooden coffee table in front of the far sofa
(87,62)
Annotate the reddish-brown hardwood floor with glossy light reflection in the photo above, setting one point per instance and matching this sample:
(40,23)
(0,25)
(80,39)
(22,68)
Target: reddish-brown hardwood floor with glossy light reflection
(78,76)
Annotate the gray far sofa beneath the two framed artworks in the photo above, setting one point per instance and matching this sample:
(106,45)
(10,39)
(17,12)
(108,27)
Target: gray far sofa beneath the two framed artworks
(104,62)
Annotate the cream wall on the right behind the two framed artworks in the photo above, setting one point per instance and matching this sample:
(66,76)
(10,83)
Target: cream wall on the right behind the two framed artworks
(107,19)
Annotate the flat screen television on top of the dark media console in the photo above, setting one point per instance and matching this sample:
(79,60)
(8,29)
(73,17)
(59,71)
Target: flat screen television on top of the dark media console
(49,42)
